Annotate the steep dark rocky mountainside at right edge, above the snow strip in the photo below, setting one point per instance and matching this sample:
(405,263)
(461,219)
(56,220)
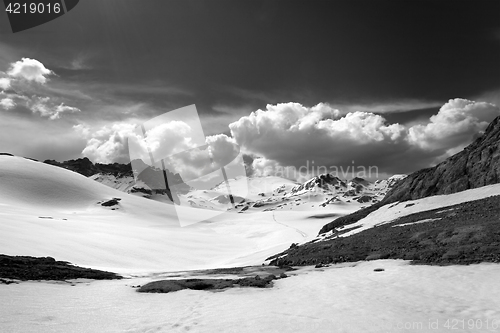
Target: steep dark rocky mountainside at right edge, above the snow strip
(475,166)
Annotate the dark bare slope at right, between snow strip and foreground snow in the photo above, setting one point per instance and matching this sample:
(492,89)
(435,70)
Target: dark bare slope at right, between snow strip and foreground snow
(461,234)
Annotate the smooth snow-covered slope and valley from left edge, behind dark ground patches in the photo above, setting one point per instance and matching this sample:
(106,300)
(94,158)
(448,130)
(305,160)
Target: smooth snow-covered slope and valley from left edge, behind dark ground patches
(50,211)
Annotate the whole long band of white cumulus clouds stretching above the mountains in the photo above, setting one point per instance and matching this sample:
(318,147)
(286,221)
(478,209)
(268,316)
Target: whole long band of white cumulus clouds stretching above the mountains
(295,141)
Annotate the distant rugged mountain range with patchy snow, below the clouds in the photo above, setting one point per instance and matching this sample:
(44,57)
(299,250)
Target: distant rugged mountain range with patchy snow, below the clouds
(253,194)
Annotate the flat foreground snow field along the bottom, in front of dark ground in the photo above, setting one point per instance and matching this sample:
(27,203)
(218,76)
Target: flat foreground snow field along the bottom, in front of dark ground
(341,298)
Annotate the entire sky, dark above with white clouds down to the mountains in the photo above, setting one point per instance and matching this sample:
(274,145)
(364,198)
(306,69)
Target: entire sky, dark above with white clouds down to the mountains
(399,85)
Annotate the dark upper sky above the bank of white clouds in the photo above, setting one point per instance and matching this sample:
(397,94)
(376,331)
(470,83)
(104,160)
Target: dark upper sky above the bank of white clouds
(250,53)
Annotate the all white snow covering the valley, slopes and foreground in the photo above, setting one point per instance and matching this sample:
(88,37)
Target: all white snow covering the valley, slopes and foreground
(50,211)
